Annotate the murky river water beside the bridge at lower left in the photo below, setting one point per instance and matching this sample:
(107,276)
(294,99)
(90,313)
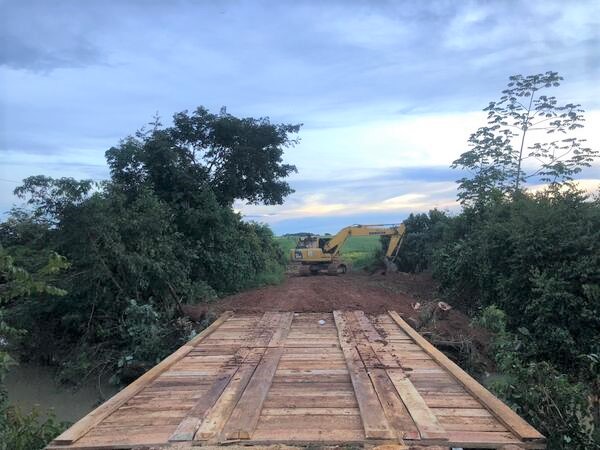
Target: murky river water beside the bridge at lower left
(31,385)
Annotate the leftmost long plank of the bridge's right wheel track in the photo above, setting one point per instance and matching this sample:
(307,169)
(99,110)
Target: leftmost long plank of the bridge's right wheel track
(375,423)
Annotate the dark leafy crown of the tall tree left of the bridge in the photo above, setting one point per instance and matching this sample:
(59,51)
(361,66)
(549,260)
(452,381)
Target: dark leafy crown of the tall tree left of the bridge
(237,158)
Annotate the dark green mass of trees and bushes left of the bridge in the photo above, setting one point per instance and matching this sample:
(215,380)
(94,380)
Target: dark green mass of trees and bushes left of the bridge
(159,234)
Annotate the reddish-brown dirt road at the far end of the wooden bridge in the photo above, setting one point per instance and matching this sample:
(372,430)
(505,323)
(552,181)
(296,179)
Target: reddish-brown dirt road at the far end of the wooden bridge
(413,296)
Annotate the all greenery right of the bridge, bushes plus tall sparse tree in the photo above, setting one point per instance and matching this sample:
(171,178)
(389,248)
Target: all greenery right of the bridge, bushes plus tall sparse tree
(527,265)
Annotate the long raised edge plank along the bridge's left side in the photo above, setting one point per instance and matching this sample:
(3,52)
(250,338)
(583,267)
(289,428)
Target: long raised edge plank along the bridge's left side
(107,408)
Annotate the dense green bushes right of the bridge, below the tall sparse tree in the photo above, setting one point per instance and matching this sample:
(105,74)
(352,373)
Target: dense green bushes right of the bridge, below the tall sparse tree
(528,268)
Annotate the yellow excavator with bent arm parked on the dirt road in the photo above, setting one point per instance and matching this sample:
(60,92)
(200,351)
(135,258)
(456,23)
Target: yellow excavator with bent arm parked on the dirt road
(318,253)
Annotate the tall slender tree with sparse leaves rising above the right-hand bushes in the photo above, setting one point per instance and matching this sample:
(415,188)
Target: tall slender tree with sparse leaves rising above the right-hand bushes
(503,154)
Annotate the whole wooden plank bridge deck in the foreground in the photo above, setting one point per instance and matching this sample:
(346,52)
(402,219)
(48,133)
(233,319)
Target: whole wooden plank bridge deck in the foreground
(287,378)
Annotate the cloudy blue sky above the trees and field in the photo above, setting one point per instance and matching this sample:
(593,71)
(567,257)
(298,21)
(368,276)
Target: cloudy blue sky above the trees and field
(388,91)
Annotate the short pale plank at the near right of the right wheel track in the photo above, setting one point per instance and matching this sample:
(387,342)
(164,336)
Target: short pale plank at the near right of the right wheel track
(427,423)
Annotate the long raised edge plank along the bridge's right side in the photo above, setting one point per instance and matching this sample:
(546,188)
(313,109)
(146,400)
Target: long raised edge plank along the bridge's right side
(502,412)
